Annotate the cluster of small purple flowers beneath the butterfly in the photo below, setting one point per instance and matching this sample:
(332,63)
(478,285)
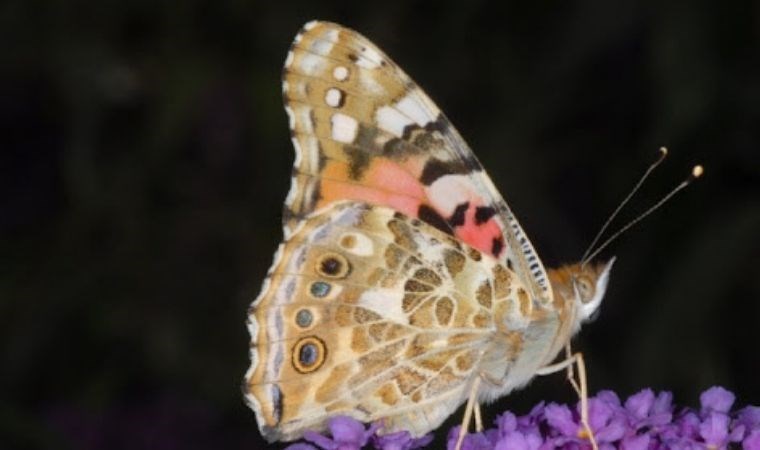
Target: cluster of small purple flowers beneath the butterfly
(645,421)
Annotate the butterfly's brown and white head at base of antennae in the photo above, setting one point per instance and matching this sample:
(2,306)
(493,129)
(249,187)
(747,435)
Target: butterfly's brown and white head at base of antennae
(582,284)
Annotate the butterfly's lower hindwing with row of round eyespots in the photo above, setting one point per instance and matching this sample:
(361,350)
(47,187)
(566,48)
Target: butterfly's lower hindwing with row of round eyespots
(373,314)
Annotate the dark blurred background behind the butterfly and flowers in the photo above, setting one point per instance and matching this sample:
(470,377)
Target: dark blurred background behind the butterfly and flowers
(144,158)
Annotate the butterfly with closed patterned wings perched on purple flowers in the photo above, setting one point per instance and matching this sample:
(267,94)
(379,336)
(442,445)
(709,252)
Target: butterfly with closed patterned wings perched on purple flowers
(404,279)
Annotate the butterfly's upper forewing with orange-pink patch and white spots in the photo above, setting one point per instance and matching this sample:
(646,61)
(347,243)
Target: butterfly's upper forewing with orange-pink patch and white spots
(364,131)
